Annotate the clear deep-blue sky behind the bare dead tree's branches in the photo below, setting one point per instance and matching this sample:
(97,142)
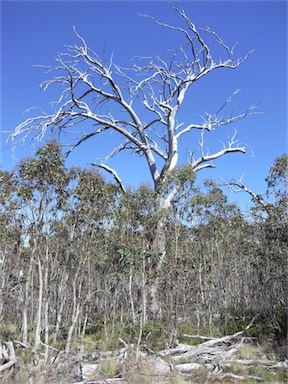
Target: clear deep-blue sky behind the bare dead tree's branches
(34,32)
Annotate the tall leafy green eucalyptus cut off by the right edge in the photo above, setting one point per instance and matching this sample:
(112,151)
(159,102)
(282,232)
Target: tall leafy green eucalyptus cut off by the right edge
(270,213)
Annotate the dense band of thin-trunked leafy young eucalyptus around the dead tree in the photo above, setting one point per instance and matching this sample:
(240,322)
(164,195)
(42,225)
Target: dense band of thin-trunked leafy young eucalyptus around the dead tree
(76,255)
